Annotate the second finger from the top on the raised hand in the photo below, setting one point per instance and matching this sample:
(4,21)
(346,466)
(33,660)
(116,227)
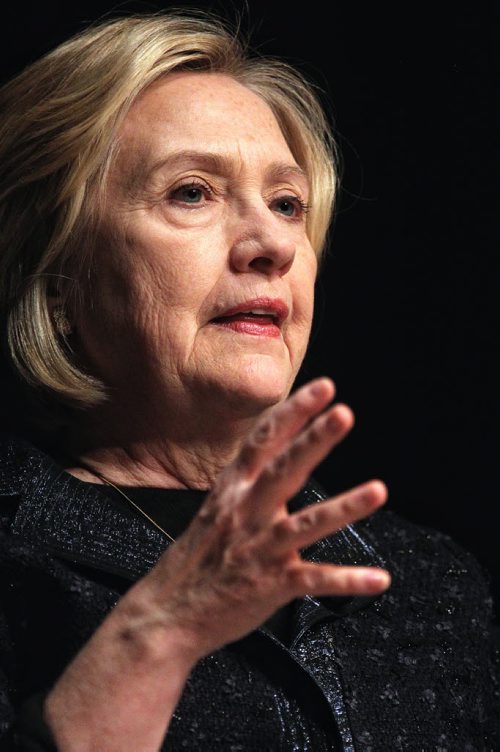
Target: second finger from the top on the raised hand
(286,473)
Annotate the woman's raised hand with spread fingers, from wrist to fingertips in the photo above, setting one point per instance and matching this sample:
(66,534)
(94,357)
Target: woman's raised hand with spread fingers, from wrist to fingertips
(239,560)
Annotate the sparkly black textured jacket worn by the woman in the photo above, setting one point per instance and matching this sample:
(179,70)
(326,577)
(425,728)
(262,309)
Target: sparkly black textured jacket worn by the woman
(411,670)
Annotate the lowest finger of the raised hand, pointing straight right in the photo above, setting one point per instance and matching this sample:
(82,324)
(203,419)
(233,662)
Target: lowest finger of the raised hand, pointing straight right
(308,578)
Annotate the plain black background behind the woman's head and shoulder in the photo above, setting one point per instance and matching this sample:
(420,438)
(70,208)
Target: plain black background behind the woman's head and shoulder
(408,313)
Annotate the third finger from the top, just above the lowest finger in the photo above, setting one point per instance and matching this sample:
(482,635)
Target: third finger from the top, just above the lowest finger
(316,521)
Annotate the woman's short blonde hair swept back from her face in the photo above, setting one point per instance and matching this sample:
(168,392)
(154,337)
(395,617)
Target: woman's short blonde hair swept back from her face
(58,128)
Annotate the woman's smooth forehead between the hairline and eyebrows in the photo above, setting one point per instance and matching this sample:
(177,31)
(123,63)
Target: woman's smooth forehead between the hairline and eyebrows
(209,111)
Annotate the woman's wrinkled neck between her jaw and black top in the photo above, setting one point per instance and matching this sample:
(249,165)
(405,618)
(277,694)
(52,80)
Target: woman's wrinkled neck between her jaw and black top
(170,453)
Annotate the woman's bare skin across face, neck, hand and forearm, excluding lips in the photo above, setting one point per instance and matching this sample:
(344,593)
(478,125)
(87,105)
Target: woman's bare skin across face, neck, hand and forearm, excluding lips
(198,405)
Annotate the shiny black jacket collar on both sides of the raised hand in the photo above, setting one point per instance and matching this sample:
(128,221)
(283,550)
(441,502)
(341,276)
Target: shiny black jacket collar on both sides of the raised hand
(77,521)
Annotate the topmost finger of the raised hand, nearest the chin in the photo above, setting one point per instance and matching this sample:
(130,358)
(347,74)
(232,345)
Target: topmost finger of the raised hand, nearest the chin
(275,430)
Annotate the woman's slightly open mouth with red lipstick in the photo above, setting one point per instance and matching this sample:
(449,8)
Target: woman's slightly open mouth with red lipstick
(260,317)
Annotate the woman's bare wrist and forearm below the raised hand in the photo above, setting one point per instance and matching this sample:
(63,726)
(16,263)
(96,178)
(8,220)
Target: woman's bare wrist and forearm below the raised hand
(124,684)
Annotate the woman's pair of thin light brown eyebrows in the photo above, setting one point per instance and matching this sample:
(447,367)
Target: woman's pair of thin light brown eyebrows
(217,163)
